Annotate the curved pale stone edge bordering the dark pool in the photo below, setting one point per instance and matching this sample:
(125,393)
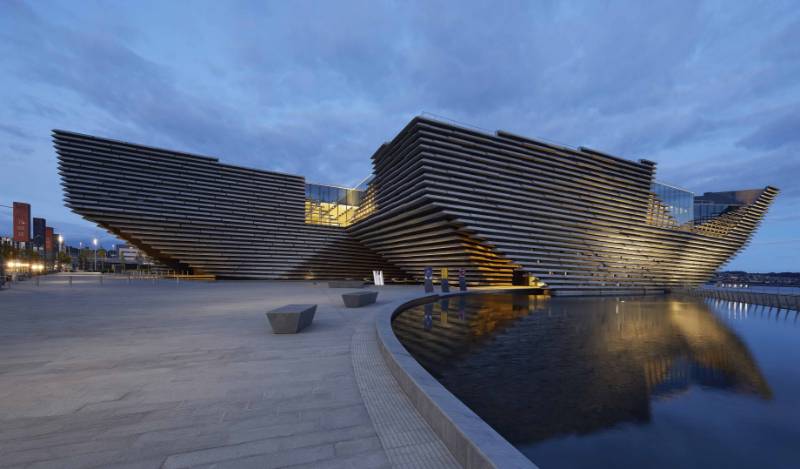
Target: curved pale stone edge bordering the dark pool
(472,442)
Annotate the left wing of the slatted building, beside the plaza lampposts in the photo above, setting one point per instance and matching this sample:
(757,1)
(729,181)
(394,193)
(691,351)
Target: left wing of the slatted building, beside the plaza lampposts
(193,213)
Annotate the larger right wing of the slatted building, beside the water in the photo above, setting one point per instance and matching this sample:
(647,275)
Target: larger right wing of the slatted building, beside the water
(575,219)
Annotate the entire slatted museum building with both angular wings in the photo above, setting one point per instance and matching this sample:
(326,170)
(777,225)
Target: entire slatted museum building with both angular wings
(506,208)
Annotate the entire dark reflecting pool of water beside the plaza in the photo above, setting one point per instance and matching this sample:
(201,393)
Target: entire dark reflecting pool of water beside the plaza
(620,382)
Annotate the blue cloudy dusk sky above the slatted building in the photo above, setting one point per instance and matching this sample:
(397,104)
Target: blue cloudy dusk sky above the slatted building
(708,90)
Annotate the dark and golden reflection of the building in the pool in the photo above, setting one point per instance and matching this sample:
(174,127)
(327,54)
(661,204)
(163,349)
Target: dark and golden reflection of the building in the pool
(565,366)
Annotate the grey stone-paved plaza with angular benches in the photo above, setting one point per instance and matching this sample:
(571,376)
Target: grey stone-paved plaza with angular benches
(152,374)
